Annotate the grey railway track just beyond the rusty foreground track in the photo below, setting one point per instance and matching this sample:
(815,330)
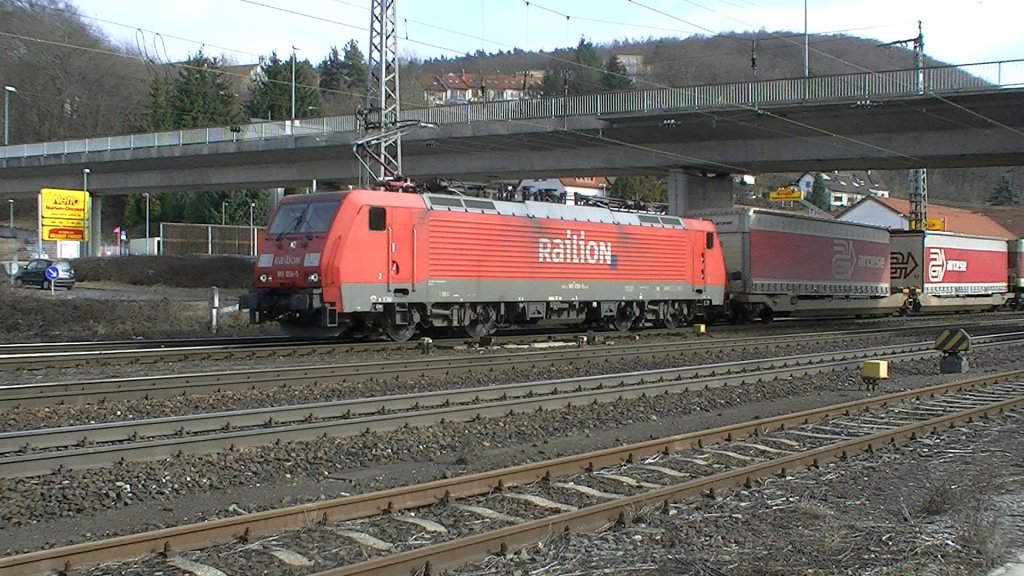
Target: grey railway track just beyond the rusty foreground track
(39,452)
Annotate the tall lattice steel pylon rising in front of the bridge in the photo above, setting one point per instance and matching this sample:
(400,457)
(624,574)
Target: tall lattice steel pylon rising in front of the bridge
(379,148)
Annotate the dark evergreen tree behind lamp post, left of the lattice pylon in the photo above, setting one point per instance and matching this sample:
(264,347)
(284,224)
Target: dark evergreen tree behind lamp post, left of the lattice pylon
(272,91)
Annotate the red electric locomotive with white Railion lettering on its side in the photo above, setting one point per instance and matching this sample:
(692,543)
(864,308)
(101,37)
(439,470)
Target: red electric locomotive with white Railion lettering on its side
(369,261)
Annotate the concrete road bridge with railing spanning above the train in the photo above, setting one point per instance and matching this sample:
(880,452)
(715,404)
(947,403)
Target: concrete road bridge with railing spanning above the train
(937,117)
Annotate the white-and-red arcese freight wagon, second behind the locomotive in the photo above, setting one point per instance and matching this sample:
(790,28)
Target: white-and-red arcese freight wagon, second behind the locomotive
(946,272)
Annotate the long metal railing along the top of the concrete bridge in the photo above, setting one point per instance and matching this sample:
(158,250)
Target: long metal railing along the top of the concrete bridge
(943,80)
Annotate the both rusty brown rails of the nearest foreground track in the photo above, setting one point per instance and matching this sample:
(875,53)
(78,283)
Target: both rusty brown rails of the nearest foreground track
(457,553)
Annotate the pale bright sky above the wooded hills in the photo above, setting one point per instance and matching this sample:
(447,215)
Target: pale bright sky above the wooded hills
(955,31)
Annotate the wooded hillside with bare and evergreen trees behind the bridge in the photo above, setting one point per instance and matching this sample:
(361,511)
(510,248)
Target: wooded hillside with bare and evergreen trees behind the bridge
(74,83)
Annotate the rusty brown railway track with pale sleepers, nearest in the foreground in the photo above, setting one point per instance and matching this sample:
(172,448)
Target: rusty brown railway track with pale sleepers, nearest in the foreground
(445,524)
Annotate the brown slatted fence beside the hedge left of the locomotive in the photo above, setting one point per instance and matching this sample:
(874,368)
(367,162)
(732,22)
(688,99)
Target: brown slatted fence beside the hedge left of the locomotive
(183,240)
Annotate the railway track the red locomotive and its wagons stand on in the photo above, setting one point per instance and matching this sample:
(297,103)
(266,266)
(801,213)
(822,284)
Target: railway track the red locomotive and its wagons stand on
(75,355)
